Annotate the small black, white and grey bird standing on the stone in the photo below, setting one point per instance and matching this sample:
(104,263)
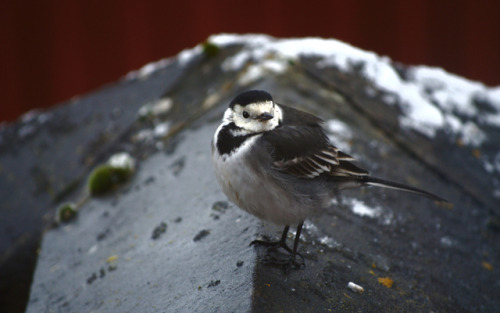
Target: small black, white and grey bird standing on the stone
(277,163)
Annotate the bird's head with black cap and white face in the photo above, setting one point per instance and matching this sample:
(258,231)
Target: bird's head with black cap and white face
(253,111)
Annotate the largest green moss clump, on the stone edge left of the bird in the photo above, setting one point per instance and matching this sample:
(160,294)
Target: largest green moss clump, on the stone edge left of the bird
(105,178)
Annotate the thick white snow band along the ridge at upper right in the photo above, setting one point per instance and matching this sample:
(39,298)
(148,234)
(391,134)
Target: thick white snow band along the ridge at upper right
(431,99)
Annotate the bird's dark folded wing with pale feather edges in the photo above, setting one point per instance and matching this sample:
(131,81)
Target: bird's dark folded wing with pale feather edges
(305,151)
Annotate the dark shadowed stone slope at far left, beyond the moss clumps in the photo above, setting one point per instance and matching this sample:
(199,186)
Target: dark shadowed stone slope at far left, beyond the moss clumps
(45,156)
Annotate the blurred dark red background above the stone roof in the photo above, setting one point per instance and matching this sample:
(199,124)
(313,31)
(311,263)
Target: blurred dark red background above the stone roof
(53,50)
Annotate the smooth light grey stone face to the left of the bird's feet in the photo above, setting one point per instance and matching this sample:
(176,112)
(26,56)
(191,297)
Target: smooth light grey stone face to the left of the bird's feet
(197,257)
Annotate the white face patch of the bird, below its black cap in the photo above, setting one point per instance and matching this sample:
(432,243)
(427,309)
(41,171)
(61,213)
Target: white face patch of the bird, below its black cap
(247,117)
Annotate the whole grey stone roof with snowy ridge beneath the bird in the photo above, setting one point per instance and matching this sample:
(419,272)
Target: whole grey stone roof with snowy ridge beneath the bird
(169,240)
